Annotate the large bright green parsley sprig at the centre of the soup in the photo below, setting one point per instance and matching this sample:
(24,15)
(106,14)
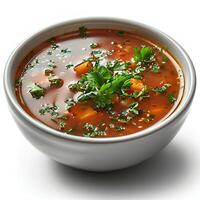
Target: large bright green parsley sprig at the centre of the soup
(101,83)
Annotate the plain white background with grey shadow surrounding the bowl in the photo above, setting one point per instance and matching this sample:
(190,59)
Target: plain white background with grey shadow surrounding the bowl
(26,174)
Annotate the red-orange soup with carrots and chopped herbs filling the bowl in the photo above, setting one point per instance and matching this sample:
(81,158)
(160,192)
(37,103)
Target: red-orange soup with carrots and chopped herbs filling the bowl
(98,83)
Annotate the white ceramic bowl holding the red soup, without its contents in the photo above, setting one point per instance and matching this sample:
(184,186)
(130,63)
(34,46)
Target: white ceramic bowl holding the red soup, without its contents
(100,154)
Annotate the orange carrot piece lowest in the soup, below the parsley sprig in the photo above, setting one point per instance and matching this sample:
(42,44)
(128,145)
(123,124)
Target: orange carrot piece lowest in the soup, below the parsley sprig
(83,111)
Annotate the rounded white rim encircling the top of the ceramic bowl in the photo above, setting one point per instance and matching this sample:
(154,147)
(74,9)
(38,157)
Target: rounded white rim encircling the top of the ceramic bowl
(182,107)
